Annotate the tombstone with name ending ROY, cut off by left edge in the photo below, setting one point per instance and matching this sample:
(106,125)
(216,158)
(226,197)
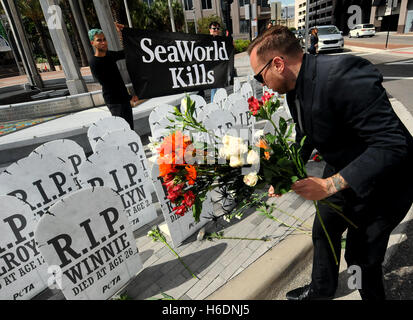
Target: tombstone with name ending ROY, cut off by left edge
(23,271)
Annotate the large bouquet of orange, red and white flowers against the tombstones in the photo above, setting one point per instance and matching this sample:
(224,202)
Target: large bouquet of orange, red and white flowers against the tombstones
(191,168)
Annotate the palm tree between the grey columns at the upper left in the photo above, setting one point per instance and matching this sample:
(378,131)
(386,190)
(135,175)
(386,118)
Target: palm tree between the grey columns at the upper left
(32,10)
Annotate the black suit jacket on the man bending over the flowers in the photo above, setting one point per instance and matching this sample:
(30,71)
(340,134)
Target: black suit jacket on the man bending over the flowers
(347,117)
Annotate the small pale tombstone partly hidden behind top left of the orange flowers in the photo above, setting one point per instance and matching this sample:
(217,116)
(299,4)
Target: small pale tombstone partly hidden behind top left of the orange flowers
(158,121)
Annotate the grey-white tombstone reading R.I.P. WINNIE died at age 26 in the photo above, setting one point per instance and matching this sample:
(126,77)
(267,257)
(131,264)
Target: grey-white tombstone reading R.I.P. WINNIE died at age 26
(87,240)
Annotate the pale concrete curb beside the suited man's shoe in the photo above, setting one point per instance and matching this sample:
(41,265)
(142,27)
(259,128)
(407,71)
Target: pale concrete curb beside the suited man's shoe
(270,272)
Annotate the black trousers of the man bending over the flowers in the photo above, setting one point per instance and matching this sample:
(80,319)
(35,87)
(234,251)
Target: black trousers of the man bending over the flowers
(365,245)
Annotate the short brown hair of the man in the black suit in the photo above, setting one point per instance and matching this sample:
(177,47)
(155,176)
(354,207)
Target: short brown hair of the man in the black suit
(277,38)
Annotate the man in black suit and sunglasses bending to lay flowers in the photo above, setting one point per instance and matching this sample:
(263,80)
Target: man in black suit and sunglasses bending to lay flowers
(340,105)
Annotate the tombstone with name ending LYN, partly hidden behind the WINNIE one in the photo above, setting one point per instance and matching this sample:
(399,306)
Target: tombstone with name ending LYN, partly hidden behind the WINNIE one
(118,168)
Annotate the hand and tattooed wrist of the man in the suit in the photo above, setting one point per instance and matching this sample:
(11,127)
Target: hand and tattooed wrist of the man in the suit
(313,188)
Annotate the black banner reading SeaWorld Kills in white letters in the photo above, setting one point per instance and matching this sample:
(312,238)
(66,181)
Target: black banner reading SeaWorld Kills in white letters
(165,63)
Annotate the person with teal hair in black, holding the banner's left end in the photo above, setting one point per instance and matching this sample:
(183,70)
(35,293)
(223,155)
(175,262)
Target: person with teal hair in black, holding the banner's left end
(105,70)
